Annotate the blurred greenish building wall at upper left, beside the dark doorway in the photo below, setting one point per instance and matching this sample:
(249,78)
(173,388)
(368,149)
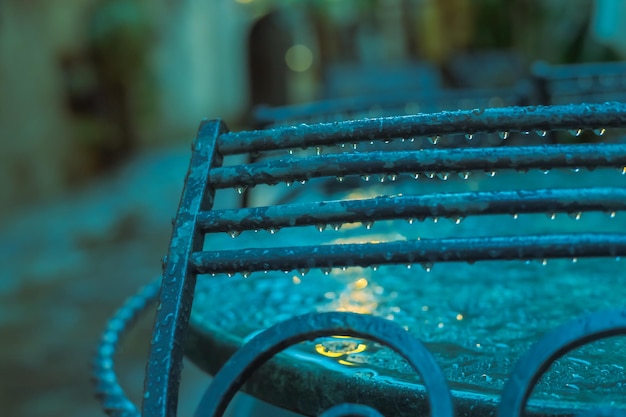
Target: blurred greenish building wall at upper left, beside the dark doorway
(195,67)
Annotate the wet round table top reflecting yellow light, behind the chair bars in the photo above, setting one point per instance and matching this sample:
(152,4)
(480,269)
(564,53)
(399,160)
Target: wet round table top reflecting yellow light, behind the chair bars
(476,319)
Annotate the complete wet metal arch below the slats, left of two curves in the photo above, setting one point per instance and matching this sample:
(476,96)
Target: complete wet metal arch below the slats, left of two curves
(310,326)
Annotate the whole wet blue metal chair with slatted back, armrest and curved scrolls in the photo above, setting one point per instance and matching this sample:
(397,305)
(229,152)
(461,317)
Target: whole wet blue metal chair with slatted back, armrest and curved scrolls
(196,219)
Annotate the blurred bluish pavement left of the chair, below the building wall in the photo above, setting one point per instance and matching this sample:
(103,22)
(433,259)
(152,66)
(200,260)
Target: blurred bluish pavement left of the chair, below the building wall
(66,266)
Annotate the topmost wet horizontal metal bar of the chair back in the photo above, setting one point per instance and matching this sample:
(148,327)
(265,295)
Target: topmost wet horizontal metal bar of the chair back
(544,118)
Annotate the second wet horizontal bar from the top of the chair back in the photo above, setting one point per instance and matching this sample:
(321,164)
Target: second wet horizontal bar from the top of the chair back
(436,160)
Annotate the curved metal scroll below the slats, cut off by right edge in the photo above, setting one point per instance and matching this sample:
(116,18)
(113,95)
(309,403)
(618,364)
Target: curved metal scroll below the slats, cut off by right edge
(555,344)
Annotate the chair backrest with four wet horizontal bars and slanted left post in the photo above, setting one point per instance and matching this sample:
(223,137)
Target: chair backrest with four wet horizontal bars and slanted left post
(340,151)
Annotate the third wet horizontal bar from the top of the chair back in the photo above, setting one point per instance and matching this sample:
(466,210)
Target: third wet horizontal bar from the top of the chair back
(571,200)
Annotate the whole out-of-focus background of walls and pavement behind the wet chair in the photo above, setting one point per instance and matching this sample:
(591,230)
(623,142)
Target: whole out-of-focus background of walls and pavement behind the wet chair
(100,100)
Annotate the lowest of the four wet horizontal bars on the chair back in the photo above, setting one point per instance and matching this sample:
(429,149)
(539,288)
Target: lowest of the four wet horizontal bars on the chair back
(424,251)
